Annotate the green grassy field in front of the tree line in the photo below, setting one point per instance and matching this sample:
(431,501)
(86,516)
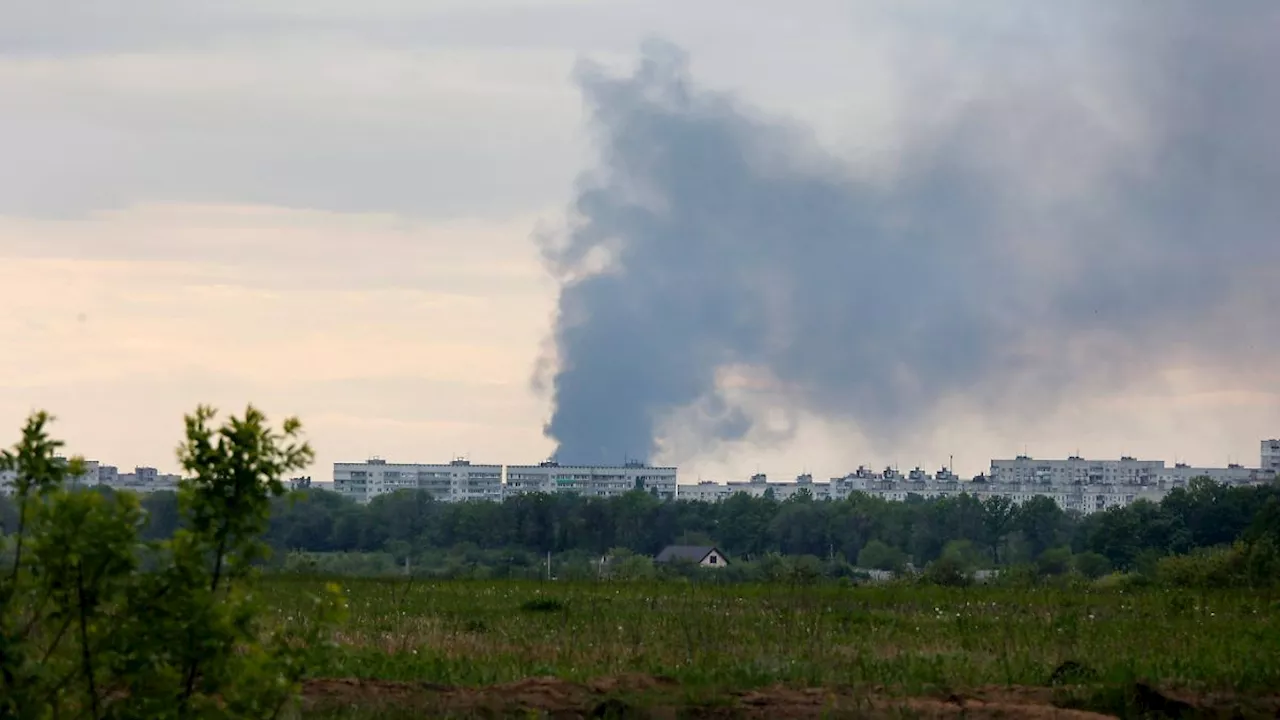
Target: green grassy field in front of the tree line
(702,642)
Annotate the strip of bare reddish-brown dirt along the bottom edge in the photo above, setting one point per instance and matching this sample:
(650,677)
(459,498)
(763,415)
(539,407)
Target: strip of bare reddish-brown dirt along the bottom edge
(646,696)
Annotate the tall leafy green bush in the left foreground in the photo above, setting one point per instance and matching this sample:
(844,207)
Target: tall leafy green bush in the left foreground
(88,632)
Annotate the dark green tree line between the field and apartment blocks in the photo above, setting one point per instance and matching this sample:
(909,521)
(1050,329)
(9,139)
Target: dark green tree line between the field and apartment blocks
(862,531)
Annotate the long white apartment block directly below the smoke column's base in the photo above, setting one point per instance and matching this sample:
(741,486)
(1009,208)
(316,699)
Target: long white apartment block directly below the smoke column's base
(592,481)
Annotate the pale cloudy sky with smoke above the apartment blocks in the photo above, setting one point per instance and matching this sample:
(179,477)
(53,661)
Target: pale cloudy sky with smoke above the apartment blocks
(450,229)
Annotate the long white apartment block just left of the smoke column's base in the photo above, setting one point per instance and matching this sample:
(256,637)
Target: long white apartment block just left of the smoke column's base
(454,482)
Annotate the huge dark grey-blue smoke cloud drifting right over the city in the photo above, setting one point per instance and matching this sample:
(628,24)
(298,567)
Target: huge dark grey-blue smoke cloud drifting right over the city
(1046,238)
